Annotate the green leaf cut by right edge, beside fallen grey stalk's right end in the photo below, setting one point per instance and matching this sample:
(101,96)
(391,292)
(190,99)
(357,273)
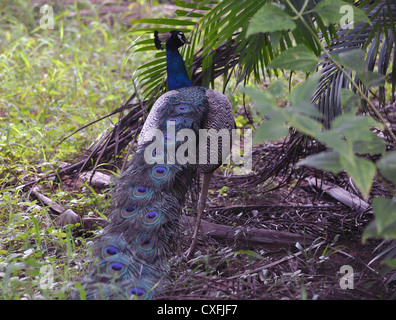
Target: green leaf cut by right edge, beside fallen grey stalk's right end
(385,212)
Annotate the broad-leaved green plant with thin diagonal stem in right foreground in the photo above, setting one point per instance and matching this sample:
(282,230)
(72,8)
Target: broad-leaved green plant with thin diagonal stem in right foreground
(351,135)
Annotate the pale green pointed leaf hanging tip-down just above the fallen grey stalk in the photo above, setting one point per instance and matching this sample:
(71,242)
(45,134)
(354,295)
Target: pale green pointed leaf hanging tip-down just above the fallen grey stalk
(361,171)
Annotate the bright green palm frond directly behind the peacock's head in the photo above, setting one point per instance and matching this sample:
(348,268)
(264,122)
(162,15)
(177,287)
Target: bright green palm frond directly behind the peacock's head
(216,27)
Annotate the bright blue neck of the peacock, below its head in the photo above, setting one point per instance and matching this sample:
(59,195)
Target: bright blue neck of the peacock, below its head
(177,73)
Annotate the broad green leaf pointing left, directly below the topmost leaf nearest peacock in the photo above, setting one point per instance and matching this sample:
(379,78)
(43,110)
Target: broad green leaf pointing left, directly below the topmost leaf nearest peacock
(298,58)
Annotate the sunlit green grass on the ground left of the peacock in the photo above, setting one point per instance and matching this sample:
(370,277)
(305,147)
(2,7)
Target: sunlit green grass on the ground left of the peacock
(51,83)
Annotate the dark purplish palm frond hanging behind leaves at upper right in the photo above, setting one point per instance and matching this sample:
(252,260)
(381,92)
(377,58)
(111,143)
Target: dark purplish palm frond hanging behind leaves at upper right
(378,40)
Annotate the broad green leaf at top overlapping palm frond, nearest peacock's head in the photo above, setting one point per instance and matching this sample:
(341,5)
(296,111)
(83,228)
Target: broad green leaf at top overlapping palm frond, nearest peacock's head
(270,18)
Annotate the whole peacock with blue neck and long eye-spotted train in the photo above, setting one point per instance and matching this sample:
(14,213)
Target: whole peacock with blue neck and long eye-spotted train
(175,145)
